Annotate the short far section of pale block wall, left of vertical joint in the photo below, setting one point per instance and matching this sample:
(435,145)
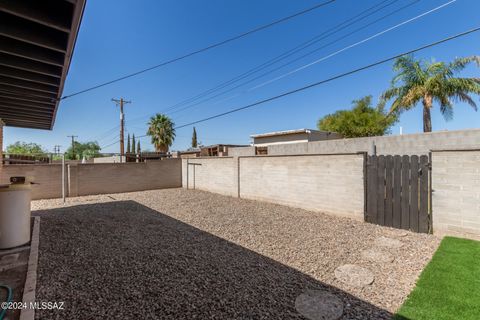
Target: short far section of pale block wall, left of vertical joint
(214,174)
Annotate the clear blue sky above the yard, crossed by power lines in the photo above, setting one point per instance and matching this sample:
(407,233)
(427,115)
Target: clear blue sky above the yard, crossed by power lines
(118,37)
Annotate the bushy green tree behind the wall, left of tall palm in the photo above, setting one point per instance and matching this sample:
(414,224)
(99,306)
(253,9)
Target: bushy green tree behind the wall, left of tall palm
(362,120)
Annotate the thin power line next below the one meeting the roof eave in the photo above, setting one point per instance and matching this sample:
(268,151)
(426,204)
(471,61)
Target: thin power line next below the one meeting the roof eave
(304,45)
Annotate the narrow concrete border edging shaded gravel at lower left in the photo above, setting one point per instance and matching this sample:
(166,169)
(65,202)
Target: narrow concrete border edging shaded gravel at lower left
(31,279)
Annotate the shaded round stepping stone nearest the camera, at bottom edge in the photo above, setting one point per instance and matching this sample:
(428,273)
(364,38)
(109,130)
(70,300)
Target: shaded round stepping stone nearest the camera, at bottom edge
(319,305)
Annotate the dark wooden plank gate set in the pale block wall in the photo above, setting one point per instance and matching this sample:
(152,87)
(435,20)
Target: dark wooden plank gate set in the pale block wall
(398,192)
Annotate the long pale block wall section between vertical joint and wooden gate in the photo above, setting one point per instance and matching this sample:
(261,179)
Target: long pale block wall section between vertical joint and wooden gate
(331,184)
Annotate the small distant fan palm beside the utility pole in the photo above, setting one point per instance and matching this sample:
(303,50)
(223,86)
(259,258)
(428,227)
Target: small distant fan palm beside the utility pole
(161,130)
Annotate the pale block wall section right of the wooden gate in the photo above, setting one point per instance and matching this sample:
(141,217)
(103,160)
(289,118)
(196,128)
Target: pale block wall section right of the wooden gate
(456,195)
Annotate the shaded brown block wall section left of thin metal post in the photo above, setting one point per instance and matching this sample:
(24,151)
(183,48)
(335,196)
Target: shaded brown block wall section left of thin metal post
(47,176)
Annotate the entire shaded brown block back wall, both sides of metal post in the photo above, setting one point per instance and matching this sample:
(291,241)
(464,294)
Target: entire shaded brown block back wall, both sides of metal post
(90,179)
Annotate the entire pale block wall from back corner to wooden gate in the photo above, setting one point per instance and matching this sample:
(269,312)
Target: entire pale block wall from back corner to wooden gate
(328,183)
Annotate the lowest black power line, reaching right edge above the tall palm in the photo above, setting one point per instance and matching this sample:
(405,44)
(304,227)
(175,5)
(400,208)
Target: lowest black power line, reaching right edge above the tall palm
(332,78)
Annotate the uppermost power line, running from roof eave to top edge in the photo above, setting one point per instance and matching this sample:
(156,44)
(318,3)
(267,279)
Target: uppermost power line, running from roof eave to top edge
(242,35)
